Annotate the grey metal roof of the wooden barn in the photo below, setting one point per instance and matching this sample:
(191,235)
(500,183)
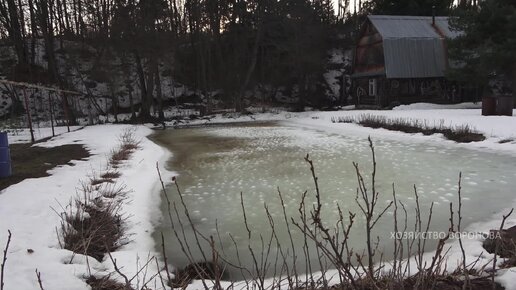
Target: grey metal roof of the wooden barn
(412,46)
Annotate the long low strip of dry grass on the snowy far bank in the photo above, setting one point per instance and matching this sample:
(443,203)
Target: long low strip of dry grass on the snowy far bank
(462,134)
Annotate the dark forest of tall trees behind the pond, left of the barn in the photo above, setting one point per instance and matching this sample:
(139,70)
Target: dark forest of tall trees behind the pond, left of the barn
(219,49)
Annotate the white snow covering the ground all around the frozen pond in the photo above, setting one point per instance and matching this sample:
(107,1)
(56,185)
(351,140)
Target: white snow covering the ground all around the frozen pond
(29,208)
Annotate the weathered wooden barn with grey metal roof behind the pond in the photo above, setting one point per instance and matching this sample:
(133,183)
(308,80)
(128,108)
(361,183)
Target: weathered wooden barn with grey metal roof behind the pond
(403,59)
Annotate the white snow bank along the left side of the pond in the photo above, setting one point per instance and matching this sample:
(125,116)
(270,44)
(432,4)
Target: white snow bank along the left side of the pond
(30,209)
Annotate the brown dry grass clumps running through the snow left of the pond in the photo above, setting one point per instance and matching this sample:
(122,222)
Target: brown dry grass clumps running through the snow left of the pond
(93,224)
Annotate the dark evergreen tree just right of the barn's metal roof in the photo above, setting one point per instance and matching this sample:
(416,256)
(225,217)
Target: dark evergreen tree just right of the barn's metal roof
(486,46)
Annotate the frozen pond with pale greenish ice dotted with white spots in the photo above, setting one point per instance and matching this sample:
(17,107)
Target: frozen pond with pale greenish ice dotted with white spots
(216,164)
